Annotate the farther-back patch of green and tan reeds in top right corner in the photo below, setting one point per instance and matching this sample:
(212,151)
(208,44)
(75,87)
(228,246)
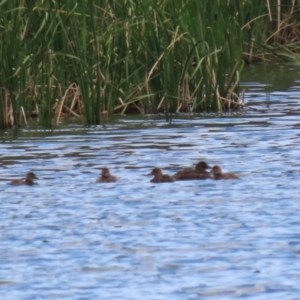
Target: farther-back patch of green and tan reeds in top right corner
(273,31)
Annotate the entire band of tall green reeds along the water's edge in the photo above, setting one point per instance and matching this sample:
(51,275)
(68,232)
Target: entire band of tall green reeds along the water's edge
(90,59)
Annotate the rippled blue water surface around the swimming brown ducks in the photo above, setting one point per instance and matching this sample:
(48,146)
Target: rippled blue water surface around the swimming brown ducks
(68,238)
